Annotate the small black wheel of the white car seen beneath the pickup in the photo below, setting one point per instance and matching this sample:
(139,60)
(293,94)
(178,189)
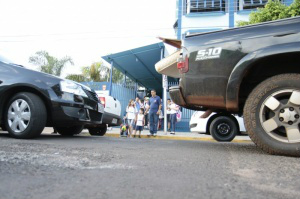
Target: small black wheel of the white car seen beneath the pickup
(223,129)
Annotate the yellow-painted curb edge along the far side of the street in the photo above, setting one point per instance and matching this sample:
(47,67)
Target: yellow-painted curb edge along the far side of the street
(166,137)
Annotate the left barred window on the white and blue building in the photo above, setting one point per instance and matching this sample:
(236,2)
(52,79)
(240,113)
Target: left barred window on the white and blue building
(198,6)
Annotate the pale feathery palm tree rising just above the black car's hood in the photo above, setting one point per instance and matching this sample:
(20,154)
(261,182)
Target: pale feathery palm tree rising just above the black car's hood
(49,64)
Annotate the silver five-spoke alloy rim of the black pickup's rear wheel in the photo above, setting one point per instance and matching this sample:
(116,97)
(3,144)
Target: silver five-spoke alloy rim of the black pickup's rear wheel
(279,116)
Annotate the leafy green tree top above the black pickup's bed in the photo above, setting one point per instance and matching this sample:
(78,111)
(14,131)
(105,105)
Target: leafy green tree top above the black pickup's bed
(273,10)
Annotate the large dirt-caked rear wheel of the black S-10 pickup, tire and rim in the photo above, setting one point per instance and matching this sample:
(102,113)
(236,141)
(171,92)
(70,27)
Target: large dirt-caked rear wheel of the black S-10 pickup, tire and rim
(271,115)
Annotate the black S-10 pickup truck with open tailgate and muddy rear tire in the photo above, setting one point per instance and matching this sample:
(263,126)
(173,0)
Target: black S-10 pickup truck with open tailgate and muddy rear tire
(253,71)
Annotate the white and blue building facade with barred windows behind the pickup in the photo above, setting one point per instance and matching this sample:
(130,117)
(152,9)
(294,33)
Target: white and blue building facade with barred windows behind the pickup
(196,16)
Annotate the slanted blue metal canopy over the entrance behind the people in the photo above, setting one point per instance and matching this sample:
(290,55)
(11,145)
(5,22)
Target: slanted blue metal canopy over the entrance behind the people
(138,64)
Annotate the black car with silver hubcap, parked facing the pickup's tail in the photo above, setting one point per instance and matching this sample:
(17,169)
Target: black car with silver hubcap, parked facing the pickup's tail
(31,100)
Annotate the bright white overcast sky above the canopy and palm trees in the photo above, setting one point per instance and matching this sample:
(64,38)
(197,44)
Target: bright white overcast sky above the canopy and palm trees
(82,29)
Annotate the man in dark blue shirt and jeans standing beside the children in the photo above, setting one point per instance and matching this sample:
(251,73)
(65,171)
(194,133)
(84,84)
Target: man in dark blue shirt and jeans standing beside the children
(154,111)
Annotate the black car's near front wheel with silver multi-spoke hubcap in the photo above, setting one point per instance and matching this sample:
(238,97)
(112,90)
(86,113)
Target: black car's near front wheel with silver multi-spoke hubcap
(25,116)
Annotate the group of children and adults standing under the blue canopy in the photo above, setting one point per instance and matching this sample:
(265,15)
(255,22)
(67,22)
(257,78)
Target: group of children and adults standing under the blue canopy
(140,112)
